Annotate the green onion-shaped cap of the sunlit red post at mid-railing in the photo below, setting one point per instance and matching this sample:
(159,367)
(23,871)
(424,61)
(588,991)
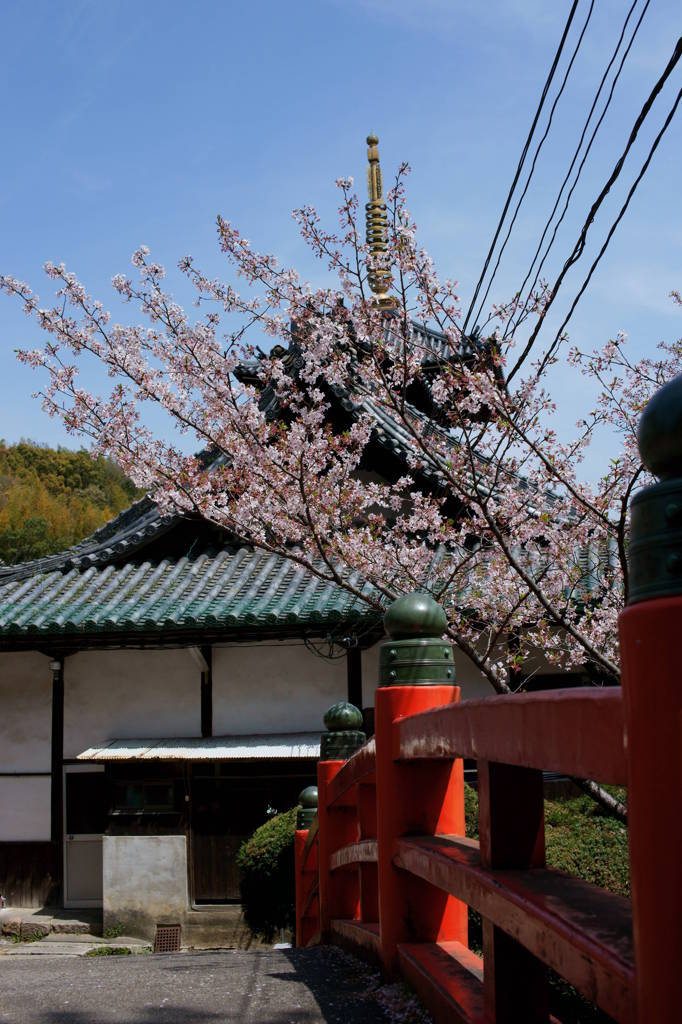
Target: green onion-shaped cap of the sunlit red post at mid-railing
(416,655)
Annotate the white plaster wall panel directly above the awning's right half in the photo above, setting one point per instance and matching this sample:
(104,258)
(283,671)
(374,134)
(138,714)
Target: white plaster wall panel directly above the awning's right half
(274,689)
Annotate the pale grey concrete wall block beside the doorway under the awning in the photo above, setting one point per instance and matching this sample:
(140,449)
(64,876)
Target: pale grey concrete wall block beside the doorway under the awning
(145,883)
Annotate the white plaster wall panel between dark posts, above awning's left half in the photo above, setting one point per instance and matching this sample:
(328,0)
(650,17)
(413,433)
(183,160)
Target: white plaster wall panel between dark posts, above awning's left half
(122,695)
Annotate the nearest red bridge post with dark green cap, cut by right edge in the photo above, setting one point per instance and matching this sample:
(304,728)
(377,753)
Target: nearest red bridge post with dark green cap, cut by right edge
(651,636)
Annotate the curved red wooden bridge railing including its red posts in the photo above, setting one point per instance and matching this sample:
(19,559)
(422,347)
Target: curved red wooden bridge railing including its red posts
(387,869)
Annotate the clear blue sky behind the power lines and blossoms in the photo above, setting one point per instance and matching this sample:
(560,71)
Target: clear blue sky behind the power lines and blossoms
(129,123)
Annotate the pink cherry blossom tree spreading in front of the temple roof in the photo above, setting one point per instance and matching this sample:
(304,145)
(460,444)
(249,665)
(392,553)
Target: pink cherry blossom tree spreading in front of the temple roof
(489,513)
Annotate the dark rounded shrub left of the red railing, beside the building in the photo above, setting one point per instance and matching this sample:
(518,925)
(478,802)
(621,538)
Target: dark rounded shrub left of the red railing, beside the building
(268,884)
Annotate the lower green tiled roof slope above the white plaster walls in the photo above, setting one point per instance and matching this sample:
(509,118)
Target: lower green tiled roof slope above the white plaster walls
(231,589)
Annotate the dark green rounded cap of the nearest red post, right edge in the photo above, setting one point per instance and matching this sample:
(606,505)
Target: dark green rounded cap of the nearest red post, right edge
(656,523)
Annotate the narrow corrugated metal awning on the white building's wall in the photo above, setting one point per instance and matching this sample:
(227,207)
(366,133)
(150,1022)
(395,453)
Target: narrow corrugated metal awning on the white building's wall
(286,745)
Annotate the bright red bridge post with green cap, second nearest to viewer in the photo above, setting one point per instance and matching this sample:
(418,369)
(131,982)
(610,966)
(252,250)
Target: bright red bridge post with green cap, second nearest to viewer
(416,673)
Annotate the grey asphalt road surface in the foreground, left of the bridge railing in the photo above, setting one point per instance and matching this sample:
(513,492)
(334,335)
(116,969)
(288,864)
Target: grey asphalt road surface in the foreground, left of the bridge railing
(289,987)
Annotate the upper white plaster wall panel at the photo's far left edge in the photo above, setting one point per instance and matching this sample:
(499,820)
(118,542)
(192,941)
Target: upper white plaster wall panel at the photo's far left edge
(26,712)
